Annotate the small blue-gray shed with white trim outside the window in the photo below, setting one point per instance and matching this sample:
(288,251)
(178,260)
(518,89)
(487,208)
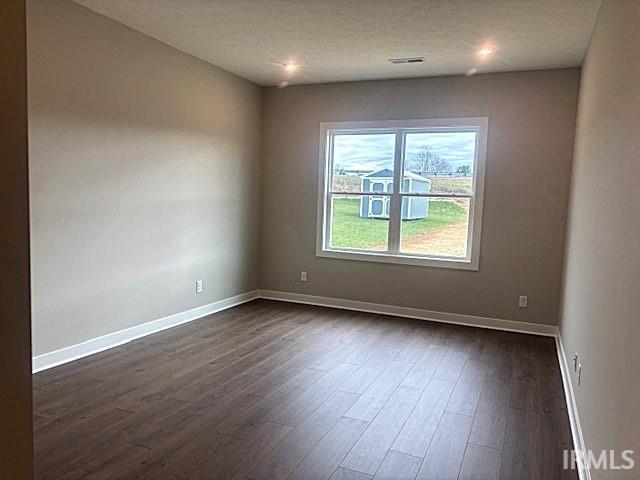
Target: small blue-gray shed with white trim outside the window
(377,206)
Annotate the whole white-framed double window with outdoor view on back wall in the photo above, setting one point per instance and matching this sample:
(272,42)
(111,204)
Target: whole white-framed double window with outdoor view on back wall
(402,191)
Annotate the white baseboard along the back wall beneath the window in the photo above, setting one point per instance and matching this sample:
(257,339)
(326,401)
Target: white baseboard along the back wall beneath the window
(406,312)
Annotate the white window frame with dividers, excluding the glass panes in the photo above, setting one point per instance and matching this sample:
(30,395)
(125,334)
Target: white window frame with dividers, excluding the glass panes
(471,261)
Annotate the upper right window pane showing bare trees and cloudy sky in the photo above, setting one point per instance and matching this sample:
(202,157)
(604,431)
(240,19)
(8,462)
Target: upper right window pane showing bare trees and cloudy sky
(439,162)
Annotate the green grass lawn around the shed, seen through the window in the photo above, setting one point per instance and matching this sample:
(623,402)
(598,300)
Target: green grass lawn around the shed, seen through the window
(351,231)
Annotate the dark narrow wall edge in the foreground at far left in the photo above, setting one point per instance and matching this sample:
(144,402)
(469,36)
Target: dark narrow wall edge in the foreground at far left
(16,450)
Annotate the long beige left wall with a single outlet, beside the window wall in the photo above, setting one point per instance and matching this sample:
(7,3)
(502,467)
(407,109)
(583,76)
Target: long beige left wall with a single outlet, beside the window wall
(144,177)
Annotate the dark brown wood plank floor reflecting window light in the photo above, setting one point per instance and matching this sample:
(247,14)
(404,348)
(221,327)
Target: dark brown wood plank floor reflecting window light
(271,390)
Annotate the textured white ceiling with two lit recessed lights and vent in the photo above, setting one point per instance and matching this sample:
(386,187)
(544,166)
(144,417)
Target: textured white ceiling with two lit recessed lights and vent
(339,40)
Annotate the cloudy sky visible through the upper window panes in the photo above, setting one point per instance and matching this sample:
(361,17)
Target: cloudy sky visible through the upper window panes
(375,151)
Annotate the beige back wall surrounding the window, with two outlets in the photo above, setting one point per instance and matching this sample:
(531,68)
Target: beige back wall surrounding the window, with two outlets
(531,130)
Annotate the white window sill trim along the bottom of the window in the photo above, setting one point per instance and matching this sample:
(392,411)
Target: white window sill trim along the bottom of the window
(433,262)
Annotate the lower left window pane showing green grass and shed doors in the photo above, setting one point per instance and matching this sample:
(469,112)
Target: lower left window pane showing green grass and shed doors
(360,222)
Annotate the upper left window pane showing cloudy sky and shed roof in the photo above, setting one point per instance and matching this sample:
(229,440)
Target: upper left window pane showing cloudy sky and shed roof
(363,162)
